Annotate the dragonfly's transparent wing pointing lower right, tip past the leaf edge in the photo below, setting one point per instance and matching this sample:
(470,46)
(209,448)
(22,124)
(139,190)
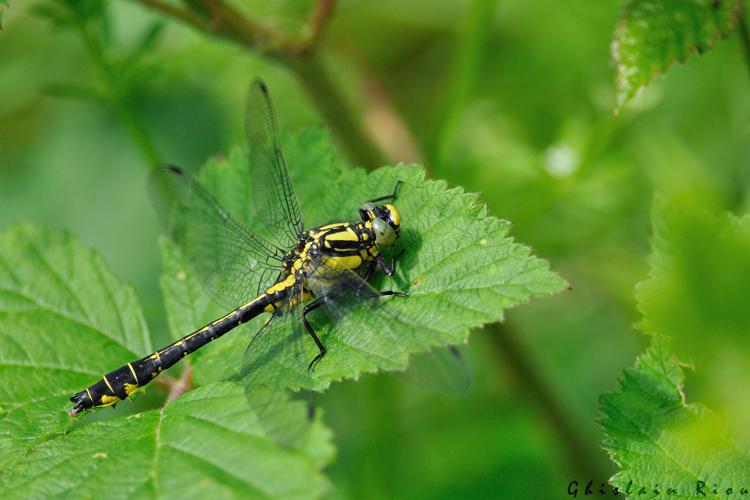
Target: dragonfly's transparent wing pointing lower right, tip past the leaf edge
(375,324)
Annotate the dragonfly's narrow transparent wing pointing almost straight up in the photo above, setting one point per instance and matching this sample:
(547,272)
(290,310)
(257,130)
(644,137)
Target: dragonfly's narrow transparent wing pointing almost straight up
(274,200)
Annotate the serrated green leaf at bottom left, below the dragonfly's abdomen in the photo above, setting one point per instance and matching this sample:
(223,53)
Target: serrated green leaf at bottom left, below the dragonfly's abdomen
(206,444)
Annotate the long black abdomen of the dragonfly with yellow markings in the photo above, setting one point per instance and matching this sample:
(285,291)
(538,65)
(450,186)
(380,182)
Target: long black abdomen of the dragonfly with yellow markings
(118,384)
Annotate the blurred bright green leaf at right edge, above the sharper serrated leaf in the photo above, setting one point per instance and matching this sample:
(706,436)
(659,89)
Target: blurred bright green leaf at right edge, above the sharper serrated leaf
(699,280)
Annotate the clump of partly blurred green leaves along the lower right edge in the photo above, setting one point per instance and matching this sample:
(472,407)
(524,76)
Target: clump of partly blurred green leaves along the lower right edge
(653,435)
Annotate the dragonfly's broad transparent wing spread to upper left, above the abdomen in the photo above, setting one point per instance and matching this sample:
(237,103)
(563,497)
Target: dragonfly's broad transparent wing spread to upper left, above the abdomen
(233,263)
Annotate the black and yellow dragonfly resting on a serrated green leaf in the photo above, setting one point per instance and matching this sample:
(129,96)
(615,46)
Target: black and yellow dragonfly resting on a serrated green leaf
(288,274)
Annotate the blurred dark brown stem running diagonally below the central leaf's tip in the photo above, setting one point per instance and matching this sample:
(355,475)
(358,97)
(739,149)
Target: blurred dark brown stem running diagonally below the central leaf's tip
(580,457)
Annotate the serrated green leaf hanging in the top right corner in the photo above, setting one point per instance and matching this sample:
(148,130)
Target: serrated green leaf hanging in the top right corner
(651,35)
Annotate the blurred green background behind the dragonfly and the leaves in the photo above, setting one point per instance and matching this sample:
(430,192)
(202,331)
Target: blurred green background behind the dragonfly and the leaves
(512,99)
